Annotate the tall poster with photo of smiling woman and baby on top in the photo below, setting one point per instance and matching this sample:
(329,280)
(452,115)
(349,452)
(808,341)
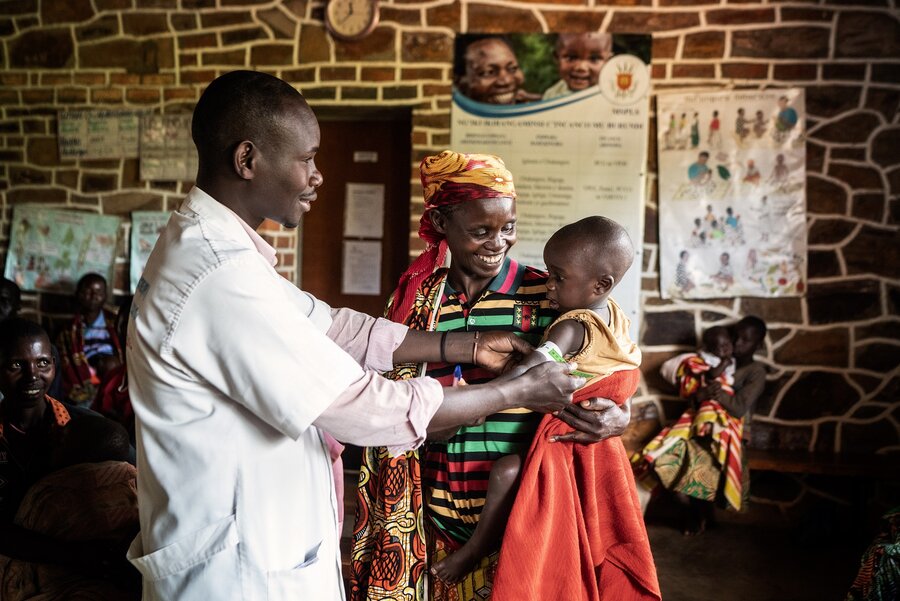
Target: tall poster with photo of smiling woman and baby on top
(568,114)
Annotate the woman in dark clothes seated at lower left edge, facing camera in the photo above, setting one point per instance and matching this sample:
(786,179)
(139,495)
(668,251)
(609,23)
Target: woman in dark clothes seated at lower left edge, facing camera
(31,429)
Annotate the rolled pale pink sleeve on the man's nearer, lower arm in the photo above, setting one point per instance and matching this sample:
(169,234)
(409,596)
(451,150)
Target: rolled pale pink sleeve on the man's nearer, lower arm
(375,411)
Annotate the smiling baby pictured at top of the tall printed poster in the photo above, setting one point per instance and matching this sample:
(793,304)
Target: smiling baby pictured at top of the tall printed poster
(579,57)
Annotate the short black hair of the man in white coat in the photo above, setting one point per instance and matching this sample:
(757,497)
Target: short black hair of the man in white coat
(240,105)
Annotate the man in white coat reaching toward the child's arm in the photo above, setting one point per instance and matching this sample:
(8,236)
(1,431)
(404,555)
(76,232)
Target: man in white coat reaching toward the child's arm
(236,375)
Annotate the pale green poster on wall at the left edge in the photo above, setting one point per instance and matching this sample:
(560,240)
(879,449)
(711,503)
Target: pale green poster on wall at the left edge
(49,250)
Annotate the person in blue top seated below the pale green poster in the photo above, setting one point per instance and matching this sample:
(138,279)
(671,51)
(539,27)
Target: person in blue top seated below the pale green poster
(89,347)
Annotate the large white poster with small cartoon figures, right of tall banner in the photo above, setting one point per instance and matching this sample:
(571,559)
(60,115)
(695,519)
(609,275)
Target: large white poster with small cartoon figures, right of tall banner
(732,194)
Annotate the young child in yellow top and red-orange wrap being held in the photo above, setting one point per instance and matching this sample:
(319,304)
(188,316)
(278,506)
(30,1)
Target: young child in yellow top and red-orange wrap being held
(541,542)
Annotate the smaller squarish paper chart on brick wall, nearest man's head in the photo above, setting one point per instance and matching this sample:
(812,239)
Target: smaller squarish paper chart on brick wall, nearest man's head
(167,150)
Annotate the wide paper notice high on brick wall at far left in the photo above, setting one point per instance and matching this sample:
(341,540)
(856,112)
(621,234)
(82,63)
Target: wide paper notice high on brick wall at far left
(98,134)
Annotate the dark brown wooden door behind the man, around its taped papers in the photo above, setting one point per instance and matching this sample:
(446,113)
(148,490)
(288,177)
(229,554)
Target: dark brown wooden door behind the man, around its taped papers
(349,144)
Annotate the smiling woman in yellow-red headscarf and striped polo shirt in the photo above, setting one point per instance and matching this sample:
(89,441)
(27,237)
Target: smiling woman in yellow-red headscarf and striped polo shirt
(469,215)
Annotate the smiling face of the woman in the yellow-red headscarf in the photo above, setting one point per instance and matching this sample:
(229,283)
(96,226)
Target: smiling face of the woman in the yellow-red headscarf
(479,234)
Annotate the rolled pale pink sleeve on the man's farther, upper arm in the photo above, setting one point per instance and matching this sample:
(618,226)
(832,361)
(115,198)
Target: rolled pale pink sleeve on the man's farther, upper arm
(370,341)
